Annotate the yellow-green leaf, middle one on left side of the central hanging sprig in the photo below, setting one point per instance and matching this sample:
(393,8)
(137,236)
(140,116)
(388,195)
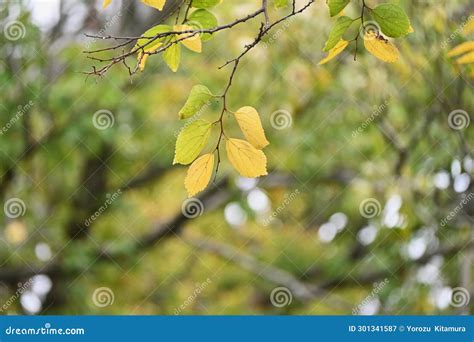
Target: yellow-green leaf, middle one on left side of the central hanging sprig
(191,140)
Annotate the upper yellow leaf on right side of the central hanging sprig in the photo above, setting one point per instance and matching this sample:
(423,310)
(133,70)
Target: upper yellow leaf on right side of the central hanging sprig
(250,124)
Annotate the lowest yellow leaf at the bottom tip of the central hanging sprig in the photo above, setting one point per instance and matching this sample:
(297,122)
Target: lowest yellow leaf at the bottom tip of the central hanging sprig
(199,174)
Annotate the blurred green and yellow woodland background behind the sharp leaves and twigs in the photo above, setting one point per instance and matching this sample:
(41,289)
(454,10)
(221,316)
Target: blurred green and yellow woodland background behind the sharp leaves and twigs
(367,209)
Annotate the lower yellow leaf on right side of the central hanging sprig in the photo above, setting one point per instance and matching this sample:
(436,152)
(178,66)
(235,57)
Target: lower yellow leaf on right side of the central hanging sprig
(247,160)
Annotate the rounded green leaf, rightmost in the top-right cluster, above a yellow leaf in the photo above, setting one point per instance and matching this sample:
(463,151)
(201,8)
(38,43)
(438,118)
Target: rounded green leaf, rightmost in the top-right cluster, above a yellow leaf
(392,20)
